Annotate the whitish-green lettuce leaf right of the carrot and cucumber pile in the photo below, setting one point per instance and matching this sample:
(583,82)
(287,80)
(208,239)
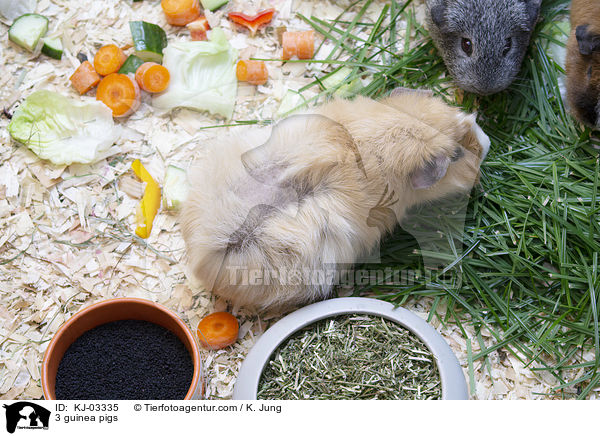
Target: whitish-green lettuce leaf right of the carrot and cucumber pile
(202,75)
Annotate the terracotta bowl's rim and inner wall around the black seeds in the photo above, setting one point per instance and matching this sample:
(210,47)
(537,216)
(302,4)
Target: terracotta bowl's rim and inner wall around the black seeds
(115,310)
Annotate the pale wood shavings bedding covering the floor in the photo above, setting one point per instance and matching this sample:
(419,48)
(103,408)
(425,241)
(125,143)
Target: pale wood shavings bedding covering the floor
(66,233)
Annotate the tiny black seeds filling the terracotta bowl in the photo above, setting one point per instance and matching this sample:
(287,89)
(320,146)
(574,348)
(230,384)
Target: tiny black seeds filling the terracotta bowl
(125,360)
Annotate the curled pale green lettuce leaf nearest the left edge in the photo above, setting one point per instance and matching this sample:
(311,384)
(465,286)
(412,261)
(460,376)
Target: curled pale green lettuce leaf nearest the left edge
(64,130)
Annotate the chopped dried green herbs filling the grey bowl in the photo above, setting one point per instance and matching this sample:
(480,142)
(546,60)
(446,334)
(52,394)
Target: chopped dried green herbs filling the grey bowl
(351,357)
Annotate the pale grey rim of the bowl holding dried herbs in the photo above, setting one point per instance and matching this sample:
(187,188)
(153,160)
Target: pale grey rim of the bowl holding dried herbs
(454,386)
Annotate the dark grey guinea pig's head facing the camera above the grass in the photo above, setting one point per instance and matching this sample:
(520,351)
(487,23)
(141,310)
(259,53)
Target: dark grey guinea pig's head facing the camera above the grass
(482,42)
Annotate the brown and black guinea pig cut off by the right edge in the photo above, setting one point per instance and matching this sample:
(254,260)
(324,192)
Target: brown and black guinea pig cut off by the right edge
(583,61)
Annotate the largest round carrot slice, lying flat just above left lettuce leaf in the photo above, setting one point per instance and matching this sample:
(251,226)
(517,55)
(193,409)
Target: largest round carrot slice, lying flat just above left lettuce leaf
(120,93)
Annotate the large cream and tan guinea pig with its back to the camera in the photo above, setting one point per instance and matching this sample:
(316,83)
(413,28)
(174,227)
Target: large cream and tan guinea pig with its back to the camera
(318,189)
